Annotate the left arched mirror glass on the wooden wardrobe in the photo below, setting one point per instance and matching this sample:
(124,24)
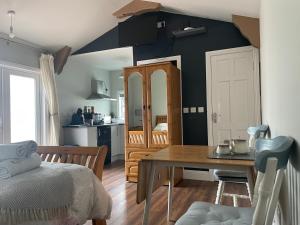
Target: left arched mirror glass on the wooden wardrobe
(135,109)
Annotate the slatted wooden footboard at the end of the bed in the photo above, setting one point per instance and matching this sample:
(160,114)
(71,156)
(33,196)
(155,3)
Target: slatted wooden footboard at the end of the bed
(91,157)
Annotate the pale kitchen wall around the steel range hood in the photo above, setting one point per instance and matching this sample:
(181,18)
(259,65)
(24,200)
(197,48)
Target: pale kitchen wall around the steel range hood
(74,86)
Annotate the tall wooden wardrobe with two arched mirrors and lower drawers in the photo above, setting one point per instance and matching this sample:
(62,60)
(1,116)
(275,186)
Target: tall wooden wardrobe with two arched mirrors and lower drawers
(152,113)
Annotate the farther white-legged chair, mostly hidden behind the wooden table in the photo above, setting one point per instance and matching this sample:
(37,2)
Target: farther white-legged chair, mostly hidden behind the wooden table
(235,176)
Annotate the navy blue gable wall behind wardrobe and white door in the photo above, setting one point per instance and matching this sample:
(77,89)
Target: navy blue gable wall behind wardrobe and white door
(220,35)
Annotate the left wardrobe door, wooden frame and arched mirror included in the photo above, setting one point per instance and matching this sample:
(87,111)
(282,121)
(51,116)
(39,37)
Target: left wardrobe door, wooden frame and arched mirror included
(135,114)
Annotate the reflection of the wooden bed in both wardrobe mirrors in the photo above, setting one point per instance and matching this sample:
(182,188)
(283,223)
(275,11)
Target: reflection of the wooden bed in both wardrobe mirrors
(159,133)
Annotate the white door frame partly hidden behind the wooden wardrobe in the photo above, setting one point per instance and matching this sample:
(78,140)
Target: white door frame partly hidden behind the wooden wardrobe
(176,58)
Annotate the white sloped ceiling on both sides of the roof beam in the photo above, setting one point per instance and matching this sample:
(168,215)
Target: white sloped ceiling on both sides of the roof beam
(55,23)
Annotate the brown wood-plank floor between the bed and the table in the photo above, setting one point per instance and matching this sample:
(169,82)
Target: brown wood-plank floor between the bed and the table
(126,212)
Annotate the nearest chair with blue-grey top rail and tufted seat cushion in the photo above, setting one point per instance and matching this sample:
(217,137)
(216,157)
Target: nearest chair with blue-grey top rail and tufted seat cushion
(271,160)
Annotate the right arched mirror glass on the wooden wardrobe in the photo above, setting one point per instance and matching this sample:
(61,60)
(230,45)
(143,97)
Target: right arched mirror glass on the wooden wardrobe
(159,108)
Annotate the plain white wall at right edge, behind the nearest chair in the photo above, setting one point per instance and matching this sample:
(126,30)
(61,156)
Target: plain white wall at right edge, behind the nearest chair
(280,56)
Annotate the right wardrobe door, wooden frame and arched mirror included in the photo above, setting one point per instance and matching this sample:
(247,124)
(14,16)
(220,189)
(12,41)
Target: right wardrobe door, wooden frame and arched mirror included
(157,99)
